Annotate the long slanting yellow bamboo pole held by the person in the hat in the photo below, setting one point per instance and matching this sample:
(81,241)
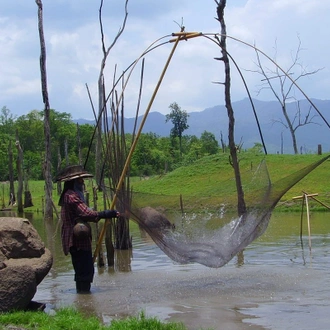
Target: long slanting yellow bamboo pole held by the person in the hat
(129,156)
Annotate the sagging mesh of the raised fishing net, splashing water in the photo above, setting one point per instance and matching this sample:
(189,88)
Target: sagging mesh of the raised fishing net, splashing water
(205,230)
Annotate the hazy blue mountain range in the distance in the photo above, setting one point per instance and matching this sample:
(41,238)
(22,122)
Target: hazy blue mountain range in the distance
(269,115)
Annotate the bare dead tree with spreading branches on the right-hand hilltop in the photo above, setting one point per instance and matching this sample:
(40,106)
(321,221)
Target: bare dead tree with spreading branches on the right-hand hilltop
(283,88)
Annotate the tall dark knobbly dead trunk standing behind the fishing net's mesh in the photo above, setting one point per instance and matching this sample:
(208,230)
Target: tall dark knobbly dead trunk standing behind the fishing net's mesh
(241,206)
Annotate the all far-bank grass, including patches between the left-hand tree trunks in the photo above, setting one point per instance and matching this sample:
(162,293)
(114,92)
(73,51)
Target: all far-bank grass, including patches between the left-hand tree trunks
(211,181)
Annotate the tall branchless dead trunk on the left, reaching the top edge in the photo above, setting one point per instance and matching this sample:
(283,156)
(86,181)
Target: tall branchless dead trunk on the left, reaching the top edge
(47,161)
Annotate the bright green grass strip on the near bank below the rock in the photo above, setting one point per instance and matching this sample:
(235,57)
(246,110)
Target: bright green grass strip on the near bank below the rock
(70,319)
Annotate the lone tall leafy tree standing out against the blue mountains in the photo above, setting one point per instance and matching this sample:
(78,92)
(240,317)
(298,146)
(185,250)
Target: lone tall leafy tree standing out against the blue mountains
(179,119)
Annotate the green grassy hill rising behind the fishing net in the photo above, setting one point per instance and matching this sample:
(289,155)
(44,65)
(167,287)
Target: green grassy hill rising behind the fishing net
(213,177)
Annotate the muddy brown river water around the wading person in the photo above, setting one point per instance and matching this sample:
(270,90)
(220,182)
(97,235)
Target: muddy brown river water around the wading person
(278,282)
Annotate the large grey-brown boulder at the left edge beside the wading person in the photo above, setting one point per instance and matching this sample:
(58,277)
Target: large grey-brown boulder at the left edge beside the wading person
(24,262)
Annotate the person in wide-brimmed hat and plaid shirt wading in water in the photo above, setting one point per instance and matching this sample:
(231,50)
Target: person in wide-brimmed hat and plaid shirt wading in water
(76,232)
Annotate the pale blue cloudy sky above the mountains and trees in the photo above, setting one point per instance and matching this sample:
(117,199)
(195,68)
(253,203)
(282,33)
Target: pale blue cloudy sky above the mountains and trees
(74,53)
